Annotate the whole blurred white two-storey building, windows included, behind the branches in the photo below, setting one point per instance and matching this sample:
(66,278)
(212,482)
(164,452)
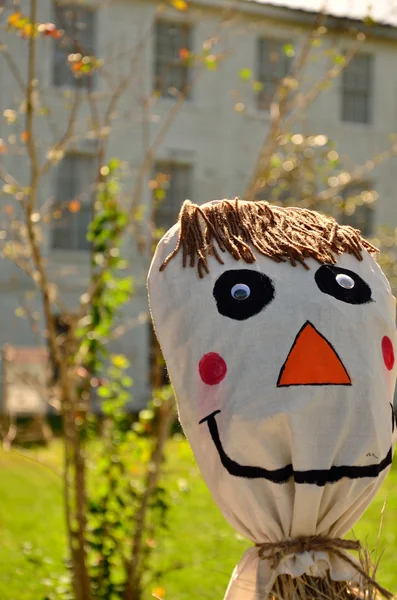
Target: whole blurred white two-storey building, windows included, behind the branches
(210,148)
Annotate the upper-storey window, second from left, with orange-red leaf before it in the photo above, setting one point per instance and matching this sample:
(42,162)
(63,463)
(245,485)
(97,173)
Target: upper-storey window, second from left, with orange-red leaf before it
(171,71)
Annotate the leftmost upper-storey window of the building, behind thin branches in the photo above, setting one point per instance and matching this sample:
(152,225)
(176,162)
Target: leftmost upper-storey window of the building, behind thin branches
(78,23)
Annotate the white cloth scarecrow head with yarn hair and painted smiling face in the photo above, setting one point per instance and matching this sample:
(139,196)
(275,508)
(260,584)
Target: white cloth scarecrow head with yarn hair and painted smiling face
(278,329)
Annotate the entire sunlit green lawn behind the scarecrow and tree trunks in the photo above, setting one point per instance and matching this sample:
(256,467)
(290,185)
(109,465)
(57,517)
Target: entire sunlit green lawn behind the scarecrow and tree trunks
(193,558)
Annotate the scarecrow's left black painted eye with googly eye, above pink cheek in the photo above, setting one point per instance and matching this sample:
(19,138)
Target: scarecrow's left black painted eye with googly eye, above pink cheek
(241,294)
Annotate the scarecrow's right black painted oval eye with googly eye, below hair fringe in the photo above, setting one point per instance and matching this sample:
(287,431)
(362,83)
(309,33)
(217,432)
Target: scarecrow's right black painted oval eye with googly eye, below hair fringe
(343,285)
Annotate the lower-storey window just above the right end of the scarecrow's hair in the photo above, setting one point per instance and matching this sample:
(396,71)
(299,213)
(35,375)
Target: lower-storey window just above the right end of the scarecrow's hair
(358,207)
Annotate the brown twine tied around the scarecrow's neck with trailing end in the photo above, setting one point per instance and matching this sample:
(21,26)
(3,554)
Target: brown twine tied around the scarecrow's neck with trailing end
(276,551)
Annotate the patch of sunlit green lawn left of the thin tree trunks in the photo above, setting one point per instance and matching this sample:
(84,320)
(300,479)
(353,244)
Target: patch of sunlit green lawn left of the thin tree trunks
(32,534)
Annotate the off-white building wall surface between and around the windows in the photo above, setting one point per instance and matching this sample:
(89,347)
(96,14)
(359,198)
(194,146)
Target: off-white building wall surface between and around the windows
(219,142)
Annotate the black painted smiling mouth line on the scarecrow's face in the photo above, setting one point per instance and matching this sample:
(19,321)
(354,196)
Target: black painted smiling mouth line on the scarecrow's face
(318,477)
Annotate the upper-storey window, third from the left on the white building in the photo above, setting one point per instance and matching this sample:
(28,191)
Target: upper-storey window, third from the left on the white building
(273,66)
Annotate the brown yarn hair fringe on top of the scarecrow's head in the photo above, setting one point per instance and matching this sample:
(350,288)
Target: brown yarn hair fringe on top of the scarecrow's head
(241,228)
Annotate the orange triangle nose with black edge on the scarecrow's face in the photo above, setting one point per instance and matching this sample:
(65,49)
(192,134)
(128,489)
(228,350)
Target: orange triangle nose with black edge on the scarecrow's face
(312,361)
